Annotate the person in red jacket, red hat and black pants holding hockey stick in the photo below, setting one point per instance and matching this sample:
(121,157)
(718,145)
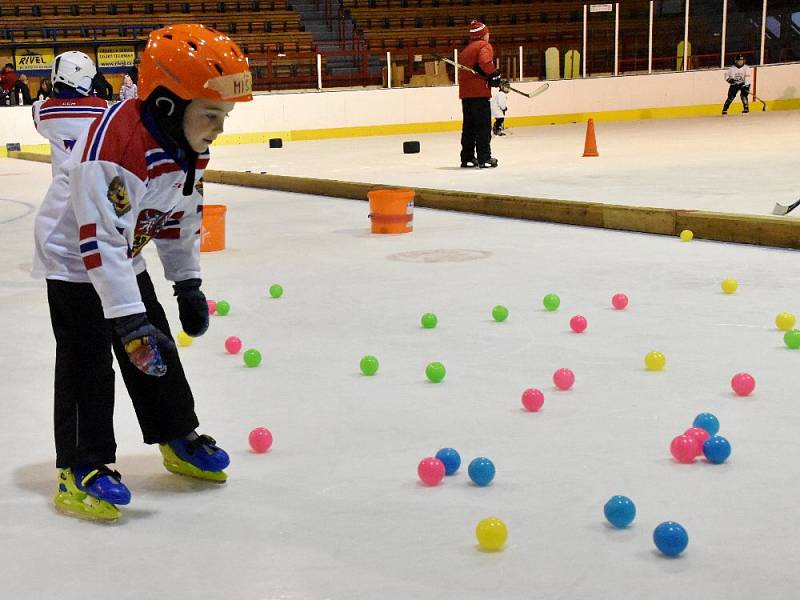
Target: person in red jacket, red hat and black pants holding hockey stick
(475,93)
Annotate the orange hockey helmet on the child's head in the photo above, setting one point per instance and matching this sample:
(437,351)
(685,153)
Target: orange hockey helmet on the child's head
(195,61)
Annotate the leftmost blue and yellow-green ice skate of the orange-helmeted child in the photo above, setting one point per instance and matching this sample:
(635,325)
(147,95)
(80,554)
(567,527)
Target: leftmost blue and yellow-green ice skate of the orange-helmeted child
(91,493)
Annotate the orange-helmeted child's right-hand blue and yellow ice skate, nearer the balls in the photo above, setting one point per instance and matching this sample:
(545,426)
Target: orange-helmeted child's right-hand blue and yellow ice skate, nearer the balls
(199,458)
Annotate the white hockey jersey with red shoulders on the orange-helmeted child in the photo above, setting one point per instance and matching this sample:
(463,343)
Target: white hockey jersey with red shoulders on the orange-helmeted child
(118,190)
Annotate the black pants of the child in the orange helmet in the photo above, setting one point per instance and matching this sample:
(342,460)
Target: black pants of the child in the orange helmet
(84,378)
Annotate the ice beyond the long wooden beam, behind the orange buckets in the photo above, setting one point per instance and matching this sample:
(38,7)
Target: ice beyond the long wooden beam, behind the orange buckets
(739,163)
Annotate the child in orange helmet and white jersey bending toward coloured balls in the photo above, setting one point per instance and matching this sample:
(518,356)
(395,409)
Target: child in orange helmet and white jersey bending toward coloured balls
(131,179)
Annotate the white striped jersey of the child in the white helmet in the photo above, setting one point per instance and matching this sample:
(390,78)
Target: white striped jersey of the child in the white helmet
(63,120)
